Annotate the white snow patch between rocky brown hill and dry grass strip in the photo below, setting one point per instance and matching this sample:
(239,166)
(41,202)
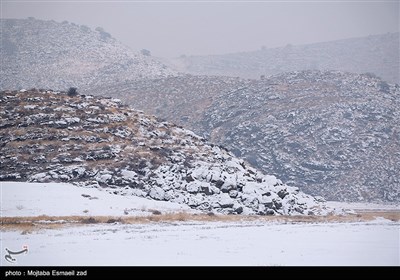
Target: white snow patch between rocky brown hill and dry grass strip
(55,199)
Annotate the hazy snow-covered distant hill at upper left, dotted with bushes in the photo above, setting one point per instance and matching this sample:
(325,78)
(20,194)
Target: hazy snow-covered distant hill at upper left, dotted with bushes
(47,54)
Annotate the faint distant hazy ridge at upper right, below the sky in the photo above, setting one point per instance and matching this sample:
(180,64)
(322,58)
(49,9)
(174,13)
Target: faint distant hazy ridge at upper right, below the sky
(378,54)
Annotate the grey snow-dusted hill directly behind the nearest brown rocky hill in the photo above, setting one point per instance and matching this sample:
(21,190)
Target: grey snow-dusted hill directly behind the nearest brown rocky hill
(330,133)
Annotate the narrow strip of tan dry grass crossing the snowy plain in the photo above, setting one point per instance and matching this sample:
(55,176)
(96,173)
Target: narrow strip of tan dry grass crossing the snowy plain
(30,224)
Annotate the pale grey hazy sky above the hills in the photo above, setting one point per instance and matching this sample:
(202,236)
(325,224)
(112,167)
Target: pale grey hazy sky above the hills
(172,28)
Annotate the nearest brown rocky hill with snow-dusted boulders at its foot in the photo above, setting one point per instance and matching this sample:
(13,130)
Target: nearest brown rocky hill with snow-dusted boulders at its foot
(98,142)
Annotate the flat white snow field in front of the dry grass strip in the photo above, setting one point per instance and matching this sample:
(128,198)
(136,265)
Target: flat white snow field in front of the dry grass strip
(210,243)
